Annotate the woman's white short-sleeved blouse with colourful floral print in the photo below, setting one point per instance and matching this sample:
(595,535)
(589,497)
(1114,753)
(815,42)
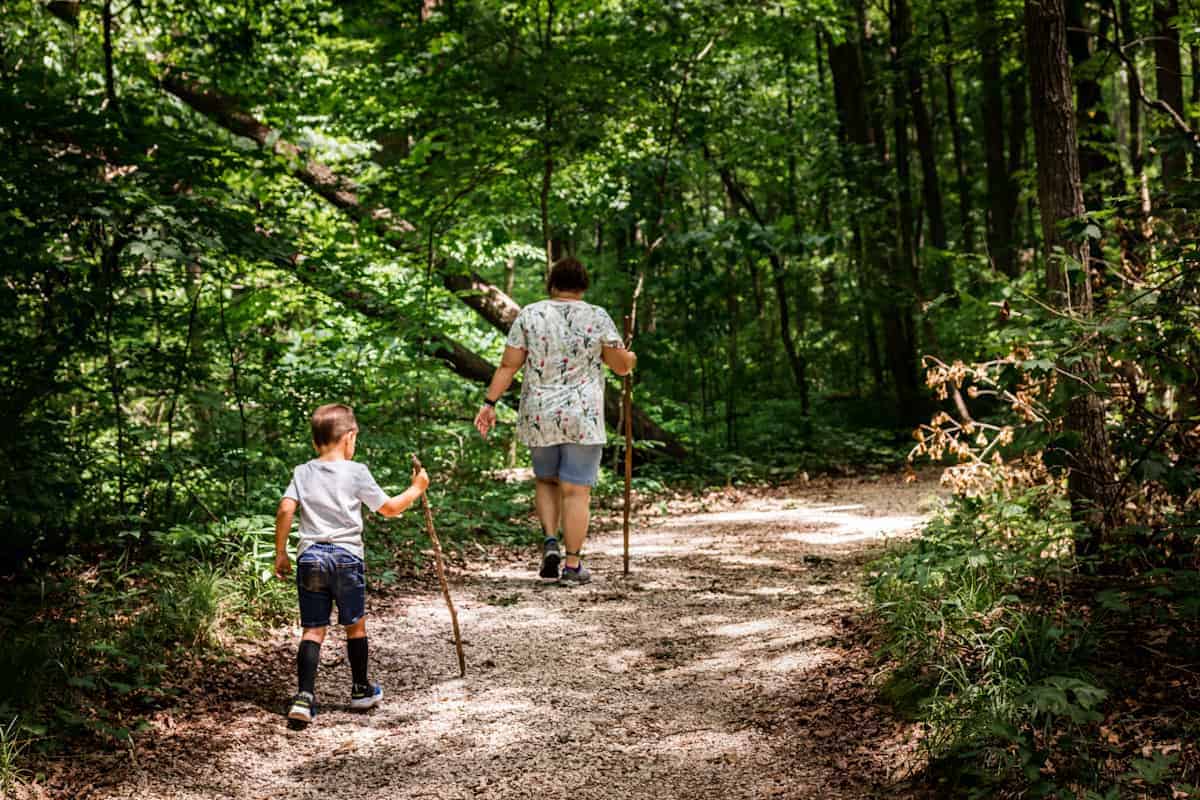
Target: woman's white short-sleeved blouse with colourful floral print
(562,399)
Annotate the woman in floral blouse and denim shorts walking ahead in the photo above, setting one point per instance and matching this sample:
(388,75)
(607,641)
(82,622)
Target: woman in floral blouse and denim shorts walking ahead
(563,344)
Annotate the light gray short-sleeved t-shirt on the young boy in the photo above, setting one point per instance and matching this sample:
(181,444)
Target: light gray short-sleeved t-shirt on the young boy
(332,495)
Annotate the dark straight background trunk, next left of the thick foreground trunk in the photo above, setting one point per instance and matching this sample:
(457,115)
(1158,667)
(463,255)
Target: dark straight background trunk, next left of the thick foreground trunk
(1000,209)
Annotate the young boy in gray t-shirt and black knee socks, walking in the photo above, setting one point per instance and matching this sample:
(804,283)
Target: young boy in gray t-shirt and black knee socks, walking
(331,491)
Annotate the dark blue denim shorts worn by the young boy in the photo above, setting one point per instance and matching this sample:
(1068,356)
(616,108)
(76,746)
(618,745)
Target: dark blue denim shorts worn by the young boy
(327,574)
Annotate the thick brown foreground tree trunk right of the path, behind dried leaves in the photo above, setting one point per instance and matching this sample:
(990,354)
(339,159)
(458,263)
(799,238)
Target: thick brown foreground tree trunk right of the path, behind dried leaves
(1090,480)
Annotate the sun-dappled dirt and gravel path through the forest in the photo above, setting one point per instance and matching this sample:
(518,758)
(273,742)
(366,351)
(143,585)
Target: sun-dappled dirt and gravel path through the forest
(730,665)
